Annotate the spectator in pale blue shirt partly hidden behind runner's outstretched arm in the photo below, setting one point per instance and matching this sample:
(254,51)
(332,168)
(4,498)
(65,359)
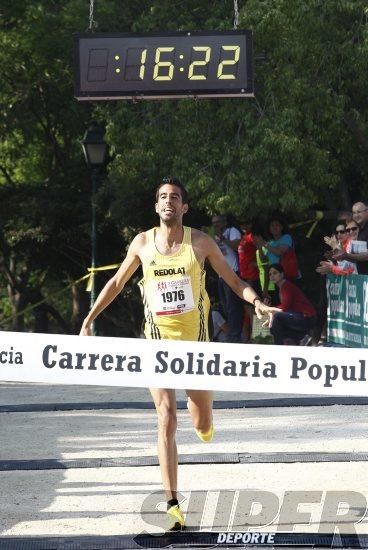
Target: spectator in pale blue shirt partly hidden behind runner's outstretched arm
(228,240)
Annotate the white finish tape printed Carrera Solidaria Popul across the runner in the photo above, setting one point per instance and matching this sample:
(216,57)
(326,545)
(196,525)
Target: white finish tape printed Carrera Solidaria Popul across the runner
(91,360)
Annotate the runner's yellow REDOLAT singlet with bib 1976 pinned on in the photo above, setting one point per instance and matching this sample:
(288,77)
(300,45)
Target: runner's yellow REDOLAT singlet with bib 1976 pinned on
(175,300)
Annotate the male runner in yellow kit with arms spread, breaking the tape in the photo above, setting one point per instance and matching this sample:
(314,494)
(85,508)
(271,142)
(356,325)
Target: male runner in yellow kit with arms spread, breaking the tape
(180,252)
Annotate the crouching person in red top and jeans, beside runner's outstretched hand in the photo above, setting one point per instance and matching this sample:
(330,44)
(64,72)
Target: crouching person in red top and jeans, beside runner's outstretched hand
(296,315)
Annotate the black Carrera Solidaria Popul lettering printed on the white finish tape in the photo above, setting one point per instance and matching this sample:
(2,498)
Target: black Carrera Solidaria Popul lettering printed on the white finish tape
(195,364)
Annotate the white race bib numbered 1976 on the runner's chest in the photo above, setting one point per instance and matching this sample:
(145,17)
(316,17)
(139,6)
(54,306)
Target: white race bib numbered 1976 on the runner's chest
(172,297)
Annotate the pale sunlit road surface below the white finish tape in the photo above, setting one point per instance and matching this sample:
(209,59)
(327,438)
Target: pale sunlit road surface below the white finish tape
(89,469)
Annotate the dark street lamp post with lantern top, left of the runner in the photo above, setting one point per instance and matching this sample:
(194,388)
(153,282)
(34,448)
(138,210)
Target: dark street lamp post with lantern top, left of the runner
(95,150)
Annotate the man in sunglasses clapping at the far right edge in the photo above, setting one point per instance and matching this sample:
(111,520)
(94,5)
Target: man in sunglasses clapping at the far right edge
(360,216)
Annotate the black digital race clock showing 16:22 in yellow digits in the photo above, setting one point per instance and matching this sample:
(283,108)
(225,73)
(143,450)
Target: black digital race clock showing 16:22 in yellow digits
(163,65)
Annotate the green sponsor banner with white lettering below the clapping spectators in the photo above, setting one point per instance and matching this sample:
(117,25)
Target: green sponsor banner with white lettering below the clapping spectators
(347,311)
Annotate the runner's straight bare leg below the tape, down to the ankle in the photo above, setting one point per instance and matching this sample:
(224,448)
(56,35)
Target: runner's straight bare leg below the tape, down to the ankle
(165,403)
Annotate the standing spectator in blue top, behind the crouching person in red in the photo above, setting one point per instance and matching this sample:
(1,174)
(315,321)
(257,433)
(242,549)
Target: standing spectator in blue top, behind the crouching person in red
(280,249)
